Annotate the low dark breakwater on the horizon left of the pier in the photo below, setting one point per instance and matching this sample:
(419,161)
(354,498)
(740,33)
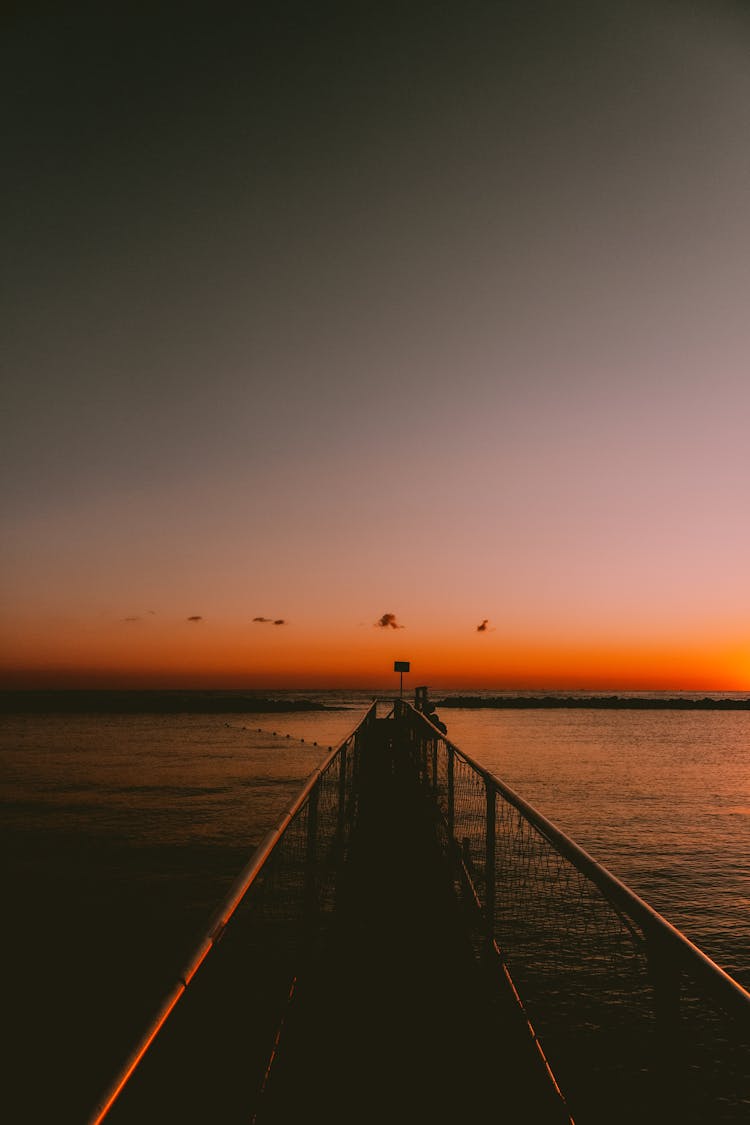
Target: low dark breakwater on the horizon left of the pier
(149,703)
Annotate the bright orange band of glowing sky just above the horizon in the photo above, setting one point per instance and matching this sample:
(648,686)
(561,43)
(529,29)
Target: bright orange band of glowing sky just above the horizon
(196,656)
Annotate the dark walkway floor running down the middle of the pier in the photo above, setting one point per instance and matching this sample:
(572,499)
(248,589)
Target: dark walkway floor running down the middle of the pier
(395,1023)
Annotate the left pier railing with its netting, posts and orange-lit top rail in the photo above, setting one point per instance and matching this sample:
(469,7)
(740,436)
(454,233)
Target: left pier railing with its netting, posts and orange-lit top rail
(227,1019)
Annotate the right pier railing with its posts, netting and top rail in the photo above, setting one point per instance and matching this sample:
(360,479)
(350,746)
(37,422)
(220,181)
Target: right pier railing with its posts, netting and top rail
(635,1020)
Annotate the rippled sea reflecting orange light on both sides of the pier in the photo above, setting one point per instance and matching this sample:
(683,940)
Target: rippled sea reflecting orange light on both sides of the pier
(124,829)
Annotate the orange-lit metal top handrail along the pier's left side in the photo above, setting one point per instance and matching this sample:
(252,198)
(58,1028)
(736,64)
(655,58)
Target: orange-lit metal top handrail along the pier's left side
(218,925)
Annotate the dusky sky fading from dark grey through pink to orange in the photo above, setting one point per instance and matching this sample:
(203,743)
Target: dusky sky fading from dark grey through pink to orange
(342,335)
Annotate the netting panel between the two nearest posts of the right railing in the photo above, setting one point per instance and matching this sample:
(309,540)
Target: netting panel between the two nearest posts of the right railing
(580,966)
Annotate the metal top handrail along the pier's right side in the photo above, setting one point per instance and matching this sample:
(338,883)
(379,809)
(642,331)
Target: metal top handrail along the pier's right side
(728,993)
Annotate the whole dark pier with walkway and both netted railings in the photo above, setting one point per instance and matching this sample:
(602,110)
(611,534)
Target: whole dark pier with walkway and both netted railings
(414,942)
